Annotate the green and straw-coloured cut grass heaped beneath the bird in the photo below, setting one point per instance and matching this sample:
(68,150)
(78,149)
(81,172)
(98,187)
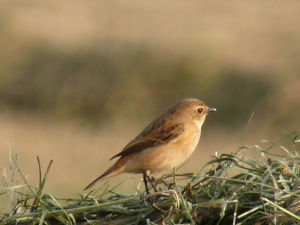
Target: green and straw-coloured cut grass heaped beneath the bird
(234,189)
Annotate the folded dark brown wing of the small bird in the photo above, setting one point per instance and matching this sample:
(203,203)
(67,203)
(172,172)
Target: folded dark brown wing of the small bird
(157,133)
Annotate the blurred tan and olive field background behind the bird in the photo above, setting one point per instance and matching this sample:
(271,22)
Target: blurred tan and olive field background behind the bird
(80,79)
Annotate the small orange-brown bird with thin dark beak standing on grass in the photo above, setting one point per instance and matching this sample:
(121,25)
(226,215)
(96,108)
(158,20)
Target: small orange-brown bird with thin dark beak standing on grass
(165,143)
